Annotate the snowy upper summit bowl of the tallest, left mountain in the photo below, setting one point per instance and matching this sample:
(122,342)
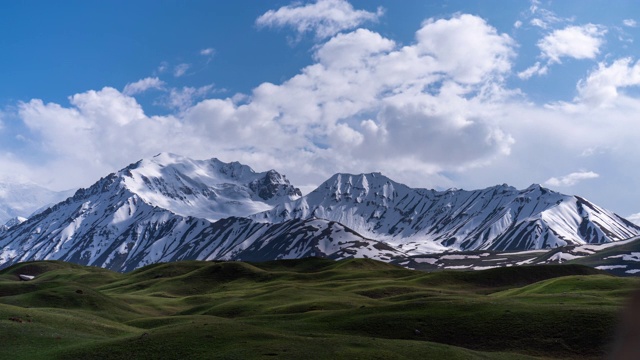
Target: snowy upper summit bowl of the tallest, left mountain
(209,189)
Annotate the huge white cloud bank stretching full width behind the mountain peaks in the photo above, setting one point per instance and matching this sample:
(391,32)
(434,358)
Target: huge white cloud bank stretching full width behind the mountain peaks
(425,113)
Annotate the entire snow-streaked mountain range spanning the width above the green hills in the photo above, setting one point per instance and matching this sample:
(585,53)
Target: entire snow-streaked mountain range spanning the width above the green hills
(170,208)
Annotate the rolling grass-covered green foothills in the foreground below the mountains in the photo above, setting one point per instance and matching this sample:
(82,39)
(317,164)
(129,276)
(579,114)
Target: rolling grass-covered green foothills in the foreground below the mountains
(307,309)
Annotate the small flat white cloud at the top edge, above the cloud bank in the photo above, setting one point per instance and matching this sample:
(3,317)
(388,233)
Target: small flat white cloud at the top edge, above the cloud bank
(324,18)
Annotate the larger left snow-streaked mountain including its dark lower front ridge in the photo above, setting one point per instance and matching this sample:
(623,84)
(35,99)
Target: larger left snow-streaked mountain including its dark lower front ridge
(133,218)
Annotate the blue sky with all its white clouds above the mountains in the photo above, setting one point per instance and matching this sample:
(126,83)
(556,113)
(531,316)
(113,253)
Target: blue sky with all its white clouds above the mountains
(434,94)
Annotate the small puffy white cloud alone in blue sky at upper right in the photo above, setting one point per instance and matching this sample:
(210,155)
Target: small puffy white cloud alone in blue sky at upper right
(578,42)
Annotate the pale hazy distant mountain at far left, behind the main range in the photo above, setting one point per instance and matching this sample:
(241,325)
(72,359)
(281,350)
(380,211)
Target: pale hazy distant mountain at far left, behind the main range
(22,199)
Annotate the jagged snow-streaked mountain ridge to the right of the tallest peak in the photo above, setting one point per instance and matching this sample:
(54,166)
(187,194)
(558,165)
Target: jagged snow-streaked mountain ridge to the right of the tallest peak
(419,220)
